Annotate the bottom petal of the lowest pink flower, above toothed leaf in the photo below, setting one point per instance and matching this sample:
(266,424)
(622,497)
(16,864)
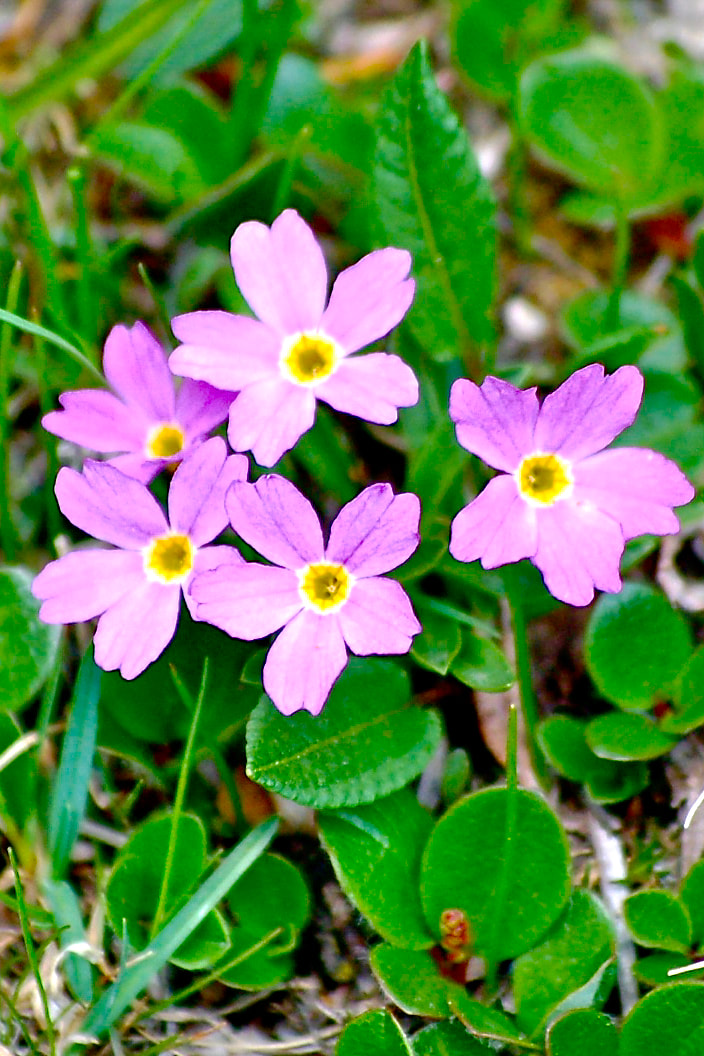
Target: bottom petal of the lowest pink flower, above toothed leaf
(305,663)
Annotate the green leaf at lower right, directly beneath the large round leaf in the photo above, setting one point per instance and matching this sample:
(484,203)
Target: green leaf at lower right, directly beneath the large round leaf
(569,957)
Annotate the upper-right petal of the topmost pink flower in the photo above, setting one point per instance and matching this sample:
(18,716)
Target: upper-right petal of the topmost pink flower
(370,299)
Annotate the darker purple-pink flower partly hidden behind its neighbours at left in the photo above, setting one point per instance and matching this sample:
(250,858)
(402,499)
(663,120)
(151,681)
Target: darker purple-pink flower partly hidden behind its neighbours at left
(144,417)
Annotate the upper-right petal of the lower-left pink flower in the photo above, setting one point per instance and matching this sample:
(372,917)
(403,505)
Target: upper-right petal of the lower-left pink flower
(197,496)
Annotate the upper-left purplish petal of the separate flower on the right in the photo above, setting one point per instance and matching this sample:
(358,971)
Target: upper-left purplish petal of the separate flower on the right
(494,422)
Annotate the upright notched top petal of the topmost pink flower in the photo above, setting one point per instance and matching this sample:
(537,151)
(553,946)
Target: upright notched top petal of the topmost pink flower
(281,272)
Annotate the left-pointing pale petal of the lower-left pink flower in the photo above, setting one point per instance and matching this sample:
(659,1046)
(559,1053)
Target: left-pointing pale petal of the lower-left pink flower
(85,583)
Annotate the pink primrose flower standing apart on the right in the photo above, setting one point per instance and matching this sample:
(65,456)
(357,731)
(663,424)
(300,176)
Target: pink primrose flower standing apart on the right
(561,499)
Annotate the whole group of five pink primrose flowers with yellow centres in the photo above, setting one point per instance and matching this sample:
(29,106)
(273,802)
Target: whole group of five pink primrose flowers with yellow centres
(560,500)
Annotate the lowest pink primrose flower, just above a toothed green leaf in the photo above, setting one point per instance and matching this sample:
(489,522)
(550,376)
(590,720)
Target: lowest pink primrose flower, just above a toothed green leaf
(326,598)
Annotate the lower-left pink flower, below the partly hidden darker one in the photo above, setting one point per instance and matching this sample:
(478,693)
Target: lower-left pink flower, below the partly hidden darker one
(136,590)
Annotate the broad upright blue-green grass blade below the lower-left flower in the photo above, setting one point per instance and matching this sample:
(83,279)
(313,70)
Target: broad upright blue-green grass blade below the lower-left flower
(70,793)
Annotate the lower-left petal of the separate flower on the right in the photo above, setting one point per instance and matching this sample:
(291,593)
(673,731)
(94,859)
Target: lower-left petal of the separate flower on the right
(499,526)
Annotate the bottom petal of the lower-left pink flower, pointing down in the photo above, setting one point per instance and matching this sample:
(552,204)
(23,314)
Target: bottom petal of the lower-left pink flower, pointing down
(138,629)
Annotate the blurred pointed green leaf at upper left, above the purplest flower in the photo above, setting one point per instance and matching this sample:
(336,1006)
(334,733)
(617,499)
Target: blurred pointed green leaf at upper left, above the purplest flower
(151,157)
